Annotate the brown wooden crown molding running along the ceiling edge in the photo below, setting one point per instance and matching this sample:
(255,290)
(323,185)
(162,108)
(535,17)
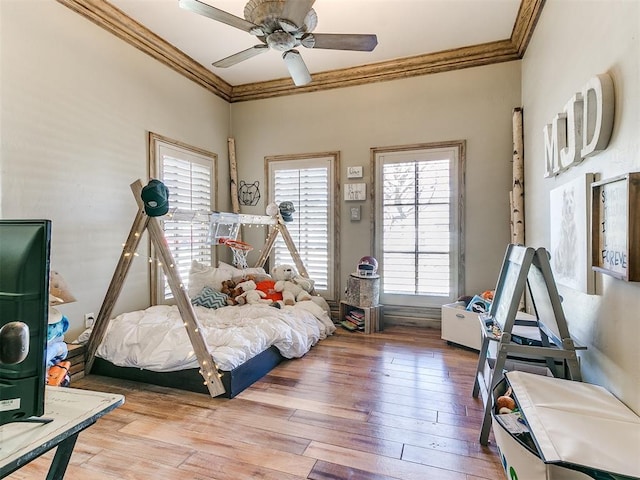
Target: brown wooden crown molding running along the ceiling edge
(118,23)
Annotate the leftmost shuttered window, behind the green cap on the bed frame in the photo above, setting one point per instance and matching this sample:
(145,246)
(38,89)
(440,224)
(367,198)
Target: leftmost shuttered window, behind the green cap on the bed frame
(189,174)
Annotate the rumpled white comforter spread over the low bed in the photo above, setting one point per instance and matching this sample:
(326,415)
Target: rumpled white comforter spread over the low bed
(156,339)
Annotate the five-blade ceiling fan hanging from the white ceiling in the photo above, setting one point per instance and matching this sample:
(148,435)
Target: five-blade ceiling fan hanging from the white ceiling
(282,25)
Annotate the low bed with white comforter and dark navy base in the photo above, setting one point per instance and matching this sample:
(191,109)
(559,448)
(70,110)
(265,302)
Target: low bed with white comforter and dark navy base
(246,342)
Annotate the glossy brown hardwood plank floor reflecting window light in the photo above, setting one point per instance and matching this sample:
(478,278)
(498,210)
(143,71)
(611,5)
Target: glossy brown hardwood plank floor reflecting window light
(392,405)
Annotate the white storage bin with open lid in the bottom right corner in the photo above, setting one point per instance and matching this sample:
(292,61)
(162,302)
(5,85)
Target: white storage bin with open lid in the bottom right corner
(578,431)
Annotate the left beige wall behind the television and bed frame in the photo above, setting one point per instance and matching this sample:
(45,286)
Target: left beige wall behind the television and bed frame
(77,103)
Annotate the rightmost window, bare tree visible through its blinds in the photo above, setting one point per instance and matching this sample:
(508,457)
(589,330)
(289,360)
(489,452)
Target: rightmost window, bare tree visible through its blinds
(419,228)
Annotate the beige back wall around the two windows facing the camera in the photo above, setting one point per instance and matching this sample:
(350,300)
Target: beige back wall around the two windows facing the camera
(474,105)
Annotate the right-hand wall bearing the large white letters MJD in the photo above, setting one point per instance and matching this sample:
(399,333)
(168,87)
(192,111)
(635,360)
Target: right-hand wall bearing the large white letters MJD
(574,41)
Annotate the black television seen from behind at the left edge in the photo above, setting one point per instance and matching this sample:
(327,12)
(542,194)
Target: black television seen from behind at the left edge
(25,247)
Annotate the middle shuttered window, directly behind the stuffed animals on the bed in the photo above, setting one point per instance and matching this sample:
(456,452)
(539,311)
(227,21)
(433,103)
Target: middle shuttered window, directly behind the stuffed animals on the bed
(310,183)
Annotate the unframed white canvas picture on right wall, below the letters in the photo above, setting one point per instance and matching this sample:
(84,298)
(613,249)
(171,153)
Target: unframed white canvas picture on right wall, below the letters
(570,234)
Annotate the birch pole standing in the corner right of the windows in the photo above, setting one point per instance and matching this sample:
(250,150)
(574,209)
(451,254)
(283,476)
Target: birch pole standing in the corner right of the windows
(517,194)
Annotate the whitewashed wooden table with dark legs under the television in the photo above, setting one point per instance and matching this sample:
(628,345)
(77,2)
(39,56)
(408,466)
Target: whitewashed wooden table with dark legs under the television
(70,411)
